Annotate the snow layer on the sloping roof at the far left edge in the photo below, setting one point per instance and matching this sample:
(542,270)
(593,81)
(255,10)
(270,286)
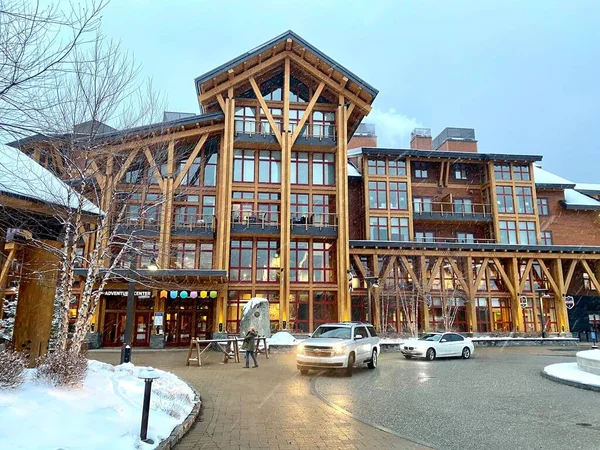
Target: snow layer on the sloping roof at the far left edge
(23,177)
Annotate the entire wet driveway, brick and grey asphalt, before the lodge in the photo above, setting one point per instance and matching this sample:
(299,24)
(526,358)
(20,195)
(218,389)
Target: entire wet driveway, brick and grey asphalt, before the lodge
(496,400)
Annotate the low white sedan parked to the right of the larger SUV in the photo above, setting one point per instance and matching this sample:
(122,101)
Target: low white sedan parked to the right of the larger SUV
(438,345)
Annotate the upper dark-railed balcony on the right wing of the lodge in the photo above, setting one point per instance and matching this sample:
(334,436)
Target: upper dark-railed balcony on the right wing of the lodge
(460,212)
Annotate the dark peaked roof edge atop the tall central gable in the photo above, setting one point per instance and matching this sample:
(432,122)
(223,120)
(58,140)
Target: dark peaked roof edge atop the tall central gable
(278,40)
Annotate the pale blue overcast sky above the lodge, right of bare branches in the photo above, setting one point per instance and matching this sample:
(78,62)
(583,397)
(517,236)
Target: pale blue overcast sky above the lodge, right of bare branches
(524,74)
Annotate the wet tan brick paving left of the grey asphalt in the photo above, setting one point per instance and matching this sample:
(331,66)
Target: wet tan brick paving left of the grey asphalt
(270,407)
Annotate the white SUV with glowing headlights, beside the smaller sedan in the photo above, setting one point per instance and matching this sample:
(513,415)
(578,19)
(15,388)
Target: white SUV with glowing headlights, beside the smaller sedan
(339,346)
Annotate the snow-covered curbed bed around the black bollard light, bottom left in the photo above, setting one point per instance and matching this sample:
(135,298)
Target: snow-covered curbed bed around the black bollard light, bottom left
(103,414)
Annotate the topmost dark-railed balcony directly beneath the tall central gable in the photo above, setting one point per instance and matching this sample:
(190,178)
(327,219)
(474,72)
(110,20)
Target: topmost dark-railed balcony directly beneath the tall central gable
(249,130)
